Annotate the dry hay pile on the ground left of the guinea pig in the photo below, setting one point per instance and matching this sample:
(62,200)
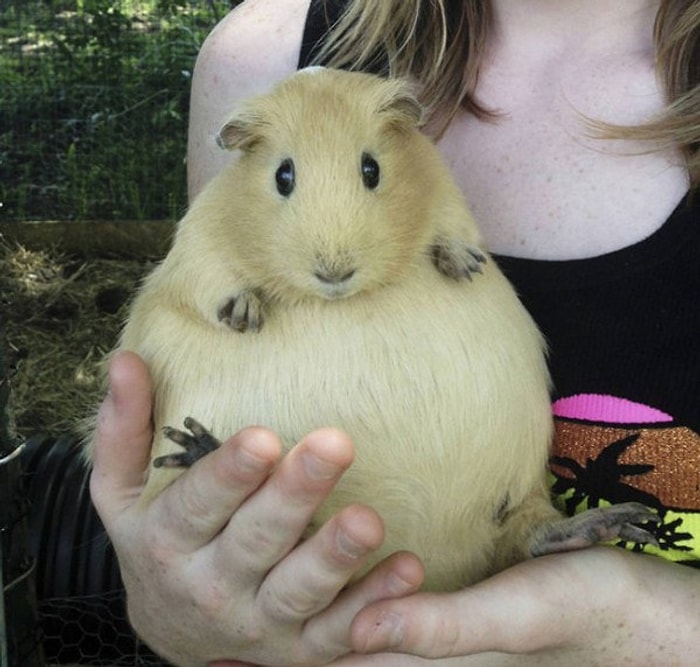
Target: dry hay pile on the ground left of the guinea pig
(62,315)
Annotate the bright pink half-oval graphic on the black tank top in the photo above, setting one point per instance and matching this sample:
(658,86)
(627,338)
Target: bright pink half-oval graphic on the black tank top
(607,409)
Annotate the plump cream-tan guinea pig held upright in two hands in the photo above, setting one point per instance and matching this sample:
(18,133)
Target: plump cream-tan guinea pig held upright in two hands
(332,275)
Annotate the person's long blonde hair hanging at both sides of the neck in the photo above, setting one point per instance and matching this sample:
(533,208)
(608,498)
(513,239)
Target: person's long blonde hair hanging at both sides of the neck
(440,44)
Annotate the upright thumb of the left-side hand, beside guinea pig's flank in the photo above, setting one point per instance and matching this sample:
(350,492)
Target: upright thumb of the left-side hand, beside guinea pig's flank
(123,436)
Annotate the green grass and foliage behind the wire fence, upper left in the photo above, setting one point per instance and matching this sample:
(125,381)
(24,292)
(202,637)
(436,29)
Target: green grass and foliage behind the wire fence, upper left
(94,96)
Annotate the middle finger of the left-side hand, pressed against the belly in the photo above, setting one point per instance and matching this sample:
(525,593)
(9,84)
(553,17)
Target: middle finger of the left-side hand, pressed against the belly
(271,522)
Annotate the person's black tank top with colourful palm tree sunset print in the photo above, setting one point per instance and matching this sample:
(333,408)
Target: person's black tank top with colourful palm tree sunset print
(623,331)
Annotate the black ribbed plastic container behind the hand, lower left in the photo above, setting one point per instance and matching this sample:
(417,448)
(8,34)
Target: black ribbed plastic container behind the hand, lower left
(81,596)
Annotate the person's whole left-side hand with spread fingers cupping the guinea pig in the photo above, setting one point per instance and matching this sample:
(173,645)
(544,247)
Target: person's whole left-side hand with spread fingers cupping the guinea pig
(213,567)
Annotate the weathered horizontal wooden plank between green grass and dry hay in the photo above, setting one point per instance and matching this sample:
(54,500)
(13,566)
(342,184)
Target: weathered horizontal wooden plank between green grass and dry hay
(124,238)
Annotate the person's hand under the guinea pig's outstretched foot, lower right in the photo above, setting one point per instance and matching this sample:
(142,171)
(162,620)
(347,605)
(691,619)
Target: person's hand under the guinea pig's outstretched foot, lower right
(596,606)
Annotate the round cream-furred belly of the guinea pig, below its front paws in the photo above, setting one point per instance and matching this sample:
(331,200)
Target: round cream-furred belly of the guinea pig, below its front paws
(441,386)
